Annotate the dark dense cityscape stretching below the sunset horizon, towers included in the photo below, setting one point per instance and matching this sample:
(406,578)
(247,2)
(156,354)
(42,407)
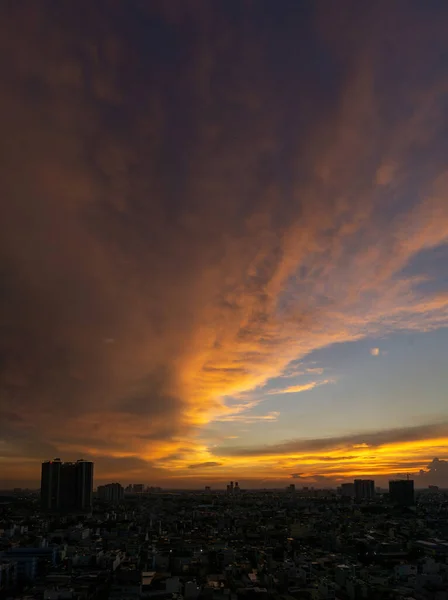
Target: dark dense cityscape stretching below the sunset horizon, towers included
(358,541)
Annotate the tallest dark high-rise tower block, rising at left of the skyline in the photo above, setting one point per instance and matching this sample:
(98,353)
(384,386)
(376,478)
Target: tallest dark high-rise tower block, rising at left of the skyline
(66,487)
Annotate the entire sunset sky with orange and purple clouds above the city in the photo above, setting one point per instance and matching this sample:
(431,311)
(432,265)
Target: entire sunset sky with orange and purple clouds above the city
(224,241)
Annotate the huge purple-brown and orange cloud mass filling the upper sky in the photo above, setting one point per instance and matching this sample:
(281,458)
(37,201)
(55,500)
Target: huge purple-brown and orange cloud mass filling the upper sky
(167,169)
